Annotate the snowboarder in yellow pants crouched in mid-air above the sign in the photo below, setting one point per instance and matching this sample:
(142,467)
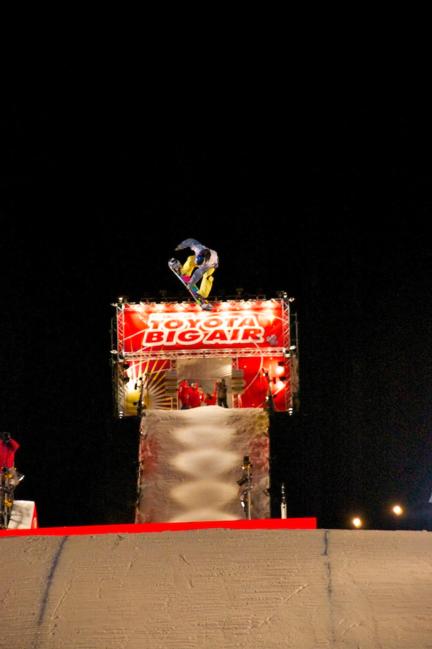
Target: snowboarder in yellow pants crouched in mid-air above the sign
(198,267)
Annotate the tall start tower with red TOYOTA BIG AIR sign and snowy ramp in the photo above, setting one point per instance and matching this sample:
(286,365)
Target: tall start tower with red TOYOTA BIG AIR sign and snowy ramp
(192,452)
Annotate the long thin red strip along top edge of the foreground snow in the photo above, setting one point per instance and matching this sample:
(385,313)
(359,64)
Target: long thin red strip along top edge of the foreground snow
(308,523)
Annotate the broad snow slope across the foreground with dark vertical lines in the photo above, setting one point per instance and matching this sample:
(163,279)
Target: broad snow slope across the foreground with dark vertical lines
(218,588)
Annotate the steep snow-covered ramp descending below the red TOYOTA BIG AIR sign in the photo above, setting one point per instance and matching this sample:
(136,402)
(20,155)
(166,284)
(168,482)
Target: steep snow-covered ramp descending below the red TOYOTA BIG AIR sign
(190,465)
